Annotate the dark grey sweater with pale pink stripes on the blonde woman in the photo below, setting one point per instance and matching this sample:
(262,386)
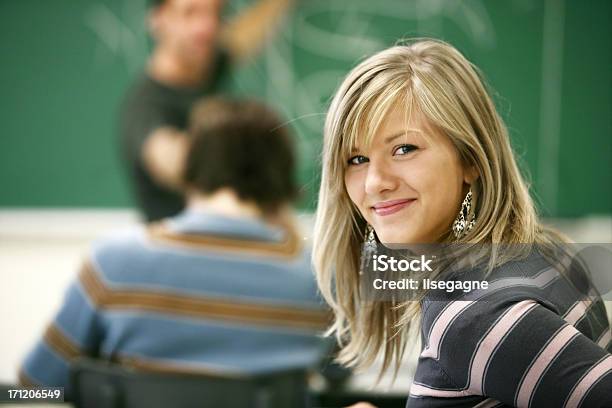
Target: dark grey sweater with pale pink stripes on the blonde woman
(527,341)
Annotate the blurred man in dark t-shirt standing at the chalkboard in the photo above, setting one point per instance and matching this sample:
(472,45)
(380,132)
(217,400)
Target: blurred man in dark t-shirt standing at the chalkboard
(193,51)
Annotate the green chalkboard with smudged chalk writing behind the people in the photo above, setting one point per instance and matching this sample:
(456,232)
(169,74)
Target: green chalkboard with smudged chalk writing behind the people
(66,64)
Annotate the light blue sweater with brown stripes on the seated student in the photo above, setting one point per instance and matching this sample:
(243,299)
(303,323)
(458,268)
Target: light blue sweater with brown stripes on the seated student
(198,293)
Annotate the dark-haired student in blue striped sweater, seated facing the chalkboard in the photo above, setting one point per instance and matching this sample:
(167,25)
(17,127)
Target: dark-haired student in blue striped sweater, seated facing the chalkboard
(224,287)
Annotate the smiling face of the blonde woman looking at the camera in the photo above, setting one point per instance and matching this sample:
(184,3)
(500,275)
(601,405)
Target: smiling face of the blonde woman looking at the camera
(408,183)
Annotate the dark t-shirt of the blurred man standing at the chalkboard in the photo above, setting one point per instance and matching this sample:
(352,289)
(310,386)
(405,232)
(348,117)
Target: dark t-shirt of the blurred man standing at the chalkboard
(149,105)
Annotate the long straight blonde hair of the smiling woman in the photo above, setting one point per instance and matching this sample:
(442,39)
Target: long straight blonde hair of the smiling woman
(434,78)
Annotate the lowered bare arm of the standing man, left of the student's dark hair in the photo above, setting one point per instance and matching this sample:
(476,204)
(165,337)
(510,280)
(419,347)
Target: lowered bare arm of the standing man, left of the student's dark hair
(164,154)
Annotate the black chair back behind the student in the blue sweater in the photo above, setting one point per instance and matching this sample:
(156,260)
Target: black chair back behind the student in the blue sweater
(97,384)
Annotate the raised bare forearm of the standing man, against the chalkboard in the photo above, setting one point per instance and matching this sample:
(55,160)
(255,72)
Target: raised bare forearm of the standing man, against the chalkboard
(244,36)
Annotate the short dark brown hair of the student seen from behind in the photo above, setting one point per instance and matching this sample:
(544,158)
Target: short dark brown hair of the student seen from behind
(242,145)
